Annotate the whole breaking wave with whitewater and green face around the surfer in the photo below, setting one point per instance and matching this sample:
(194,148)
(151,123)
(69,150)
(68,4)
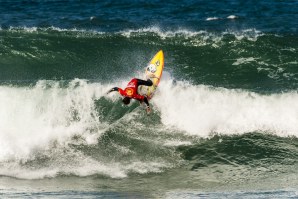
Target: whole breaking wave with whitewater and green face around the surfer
(71,128)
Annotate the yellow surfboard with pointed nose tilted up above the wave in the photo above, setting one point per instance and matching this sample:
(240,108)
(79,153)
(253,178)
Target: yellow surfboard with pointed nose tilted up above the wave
(153,71)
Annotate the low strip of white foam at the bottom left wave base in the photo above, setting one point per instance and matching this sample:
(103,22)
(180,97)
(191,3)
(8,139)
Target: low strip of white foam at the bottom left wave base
(72,164)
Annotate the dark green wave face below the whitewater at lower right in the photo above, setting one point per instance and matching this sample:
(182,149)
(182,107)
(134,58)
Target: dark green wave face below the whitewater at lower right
(249,150)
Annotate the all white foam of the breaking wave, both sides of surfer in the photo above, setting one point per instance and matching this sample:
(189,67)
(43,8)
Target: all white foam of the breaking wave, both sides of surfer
(33,118)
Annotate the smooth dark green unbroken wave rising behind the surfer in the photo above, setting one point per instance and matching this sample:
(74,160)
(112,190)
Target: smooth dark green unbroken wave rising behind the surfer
(248,59)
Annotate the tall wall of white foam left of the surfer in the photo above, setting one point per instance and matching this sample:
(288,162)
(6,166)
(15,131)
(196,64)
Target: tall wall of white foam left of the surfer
(32,117)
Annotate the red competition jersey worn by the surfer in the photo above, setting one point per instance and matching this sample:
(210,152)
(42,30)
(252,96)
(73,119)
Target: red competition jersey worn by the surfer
(131,90)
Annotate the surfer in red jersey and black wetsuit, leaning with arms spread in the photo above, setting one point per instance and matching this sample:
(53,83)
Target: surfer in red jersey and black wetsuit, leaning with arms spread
(131,92)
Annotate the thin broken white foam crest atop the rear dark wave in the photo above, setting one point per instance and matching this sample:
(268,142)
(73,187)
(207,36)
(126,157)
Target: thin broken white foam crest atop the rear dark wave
(185,37)
